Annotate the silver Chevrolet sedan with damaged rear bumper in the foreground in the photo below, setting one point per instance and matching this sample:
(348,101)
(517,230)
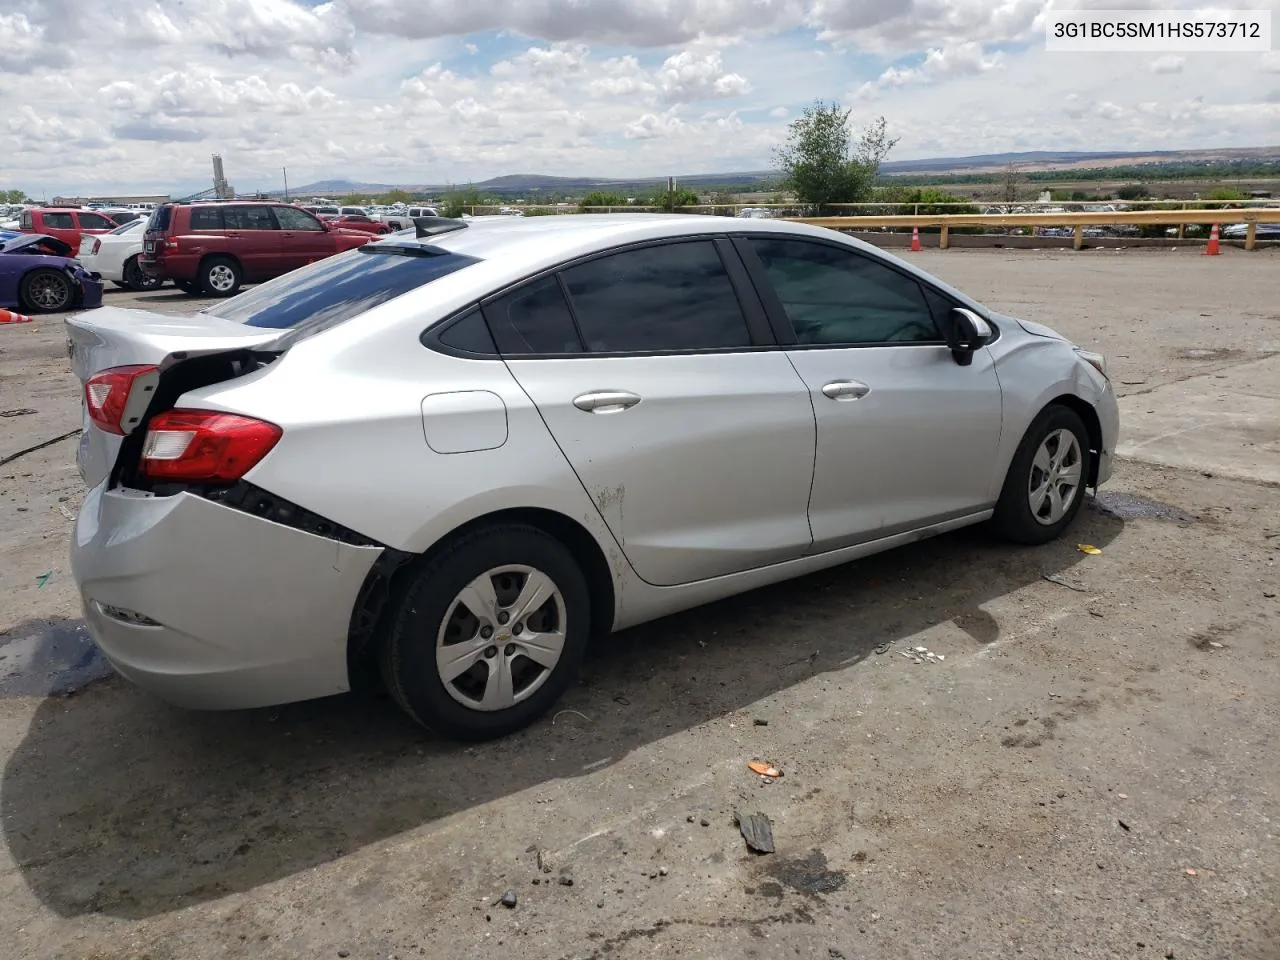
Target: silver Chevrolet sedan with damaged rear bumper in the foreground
(468,452)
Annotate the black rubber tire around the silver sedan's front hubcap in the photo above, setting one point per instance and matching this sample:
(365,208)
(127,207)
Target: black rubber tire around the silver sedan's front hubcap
(1014,518)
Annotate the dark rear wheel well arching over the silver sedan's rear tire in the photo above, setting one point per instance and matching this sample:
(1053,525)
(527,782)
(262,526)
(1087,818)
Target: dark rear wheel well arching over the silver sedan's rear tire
(387,579)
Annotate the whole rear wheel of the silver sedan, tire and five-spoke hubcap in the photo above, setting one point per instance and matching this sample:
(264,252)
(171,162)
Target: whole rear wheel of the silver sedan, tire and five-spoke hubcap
(488,634)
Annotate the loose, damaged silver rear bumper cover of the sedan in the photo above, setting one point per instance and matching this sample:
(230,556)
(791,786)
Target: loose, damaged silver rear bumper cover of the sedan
(212,607)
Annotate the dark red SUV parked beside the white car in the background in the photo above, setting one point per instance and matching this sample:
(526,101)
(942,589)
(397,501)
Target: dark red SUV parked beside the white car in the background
(213,248)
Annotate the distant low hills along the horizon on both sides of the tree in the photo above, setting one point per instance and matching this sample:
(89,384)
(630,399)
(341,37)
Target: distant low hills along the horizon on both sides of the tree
(1027,162)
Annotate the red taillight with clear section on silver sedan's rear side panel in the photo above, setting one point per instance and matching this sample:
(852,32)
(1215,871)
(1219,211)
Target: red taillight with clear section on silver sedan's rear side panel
(204,446)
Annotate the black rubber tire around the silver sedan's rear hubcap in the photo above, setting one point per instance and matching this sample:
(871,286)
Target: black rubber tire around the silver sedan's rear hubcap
(409,651)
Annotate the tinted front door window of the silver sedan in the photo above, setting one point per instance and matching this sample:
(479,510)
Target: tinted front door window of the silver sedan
(838,296)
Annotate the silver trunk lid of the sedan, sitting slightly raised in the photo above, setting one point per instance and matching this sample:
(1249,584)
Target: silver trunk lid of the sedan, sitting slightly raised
(111,337)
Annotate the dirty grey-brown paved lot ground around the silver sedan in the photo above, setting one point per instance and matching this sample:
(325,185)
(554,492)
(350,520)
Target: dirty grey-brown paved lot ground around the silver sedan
(1092,771)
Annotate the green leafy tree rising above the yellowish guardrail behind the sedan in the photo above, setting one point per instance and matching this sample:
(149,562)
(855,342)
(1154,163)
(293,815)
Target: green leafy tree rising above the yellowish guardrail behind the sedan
(822,163)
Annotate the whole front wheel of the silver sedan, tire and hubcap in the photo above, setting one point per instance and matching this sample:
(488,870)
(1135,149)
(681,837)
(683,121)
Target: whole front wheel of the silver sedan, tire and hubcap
(1045,486)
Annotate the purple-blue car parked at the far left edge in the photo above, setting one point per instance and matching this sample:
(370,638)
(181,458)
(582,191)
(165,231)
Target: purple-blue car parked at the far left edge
(42,276)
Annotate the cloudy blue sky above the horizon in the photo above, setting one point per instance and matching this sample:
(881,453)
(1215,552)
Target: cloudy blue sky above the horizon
(135,95)
